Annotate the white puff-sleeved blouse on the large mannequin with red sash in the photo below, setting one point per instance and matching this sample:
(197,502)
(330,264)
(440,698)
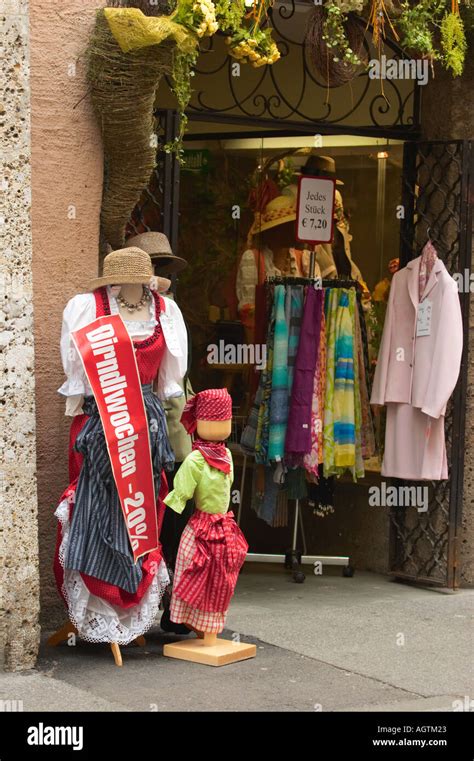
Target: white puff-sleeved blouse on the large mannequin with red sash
(81,310)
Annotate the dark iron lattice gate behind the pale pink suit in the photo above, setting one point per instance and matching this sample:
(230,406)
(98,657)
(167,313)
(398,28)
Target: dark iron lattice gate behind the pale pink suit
(436,190)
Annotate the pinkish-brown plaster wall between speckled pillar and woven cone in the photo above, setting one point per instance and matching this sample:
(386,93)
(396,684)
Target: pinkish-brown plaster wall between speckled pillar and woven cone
(67,188)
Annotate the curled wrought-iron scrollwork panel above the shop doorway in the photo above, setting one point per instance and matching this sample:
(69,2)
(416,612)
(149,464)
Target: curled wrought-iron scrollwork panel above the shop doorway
(292,95)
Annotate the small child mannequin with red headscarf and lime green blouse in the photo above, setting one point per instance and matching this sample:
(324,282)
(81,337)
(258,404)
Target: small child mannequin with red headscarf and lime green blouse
(212,549)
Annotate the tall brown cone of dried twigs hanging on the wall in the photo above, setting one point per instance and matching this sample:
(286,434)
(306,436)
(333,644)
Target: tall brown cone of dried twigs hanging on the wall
(123,90)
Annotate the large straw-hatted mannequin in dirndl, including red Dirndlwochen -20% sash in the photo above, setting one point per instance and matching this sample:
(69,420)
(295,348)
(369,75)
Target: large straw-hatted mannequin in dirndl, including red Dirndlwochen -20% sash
(111,588)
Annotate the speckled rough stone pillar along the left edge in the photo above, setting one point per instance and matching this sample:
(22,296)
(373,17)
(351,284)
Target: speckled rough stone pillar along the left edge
(19,576)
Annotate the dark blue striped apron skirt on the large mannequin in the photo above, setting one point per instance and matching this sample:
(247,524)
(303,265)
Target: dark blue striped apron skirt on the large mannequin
(98,542)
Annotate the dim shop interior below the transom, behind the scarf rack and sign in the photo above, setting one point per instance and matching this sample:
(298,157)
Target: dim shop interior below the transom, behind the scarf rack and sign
(221,183)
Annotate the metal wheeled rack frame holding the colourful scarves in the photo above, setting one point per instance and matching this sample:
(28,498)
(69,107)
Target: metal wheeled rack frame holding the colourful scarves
(294,557)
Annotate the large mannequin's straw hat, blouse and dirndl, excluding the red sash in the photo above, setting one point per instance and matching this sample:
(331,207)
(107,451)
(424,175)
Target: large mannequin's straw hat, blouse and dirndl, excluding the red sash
(111,595)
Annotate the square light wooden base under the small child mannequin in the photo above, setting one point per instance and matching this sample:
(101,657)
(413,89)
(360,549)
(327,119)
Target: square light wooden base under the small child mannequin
(210,650)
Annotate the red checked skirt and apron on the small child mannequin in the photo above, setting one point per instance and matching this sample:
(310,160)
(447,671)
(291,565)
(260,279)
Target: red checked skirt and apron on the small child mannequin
(211,553)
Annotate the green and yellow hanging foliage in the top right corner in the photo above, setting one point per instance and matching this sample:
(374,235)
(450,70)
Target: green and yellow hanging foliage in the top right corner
(432,29)
